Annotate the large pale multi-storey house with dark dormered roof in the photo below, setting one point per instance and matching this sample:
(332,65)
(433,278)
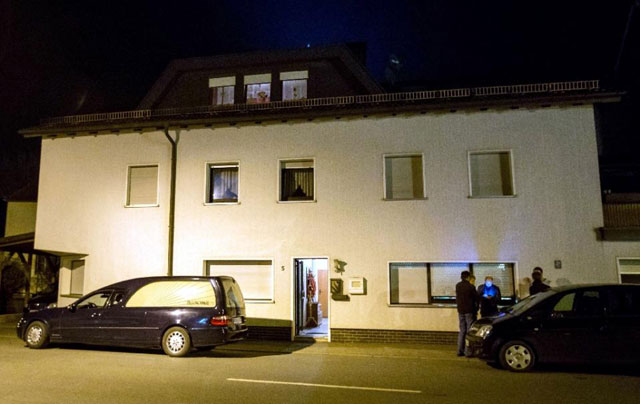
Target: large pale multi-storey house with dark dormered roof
(345,213)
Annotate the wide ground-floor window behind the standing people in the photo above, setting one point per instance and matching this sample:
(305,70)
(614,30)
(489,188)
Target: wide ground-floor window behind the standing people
(422,283)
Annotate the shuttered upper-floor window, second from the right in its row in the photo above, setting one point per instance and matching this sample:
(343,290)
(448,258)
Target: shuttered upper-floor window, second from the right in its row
(403,177)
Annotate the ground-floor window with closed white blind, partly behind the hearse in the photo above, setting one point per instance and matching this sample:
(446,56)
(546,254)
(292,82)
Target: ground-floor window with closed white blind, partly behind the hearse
(255,277)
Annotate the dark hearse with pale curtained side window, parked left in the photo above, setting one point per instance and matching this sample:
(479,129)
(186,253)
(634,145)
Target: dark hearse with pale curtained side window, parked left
(174,313)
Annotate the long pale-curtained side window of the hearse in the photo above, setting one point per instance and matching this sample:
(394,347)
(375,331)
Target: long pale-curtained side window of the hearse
(174,294)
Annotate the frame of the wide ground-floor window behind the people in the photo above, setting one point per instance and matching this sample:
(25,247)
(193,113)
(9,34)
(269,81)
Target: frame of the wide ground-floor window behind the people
(440,304)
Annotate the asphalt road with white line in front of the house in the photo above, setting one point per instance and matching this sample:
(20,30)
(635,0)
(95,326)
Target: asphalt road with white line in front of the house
(261,372)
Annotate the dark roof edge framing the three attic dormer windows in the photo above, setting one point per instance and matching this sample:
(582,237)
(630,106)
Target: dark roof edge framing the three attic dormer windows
(340,52)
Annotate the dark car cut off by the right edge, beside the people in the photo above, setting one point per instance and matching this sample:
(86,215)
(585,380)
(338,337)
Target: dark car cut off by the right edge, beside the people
(570,324)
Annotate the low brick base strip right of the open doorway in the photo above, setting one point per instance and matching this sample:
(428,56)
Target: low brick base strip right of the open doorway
(391,336)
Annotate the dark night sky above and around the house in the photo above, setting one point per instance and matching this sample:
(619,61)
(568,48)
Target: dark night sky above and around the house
(80,56)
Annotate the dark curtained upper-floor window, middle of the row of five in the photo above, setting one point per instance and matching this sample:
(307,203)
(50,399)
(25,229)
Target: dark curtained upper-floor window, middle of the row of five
(297,180)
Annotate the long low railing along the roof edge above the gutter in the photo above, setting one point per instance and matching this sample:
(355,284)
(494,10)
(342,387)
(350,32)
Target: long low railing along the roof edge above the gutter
(359,100)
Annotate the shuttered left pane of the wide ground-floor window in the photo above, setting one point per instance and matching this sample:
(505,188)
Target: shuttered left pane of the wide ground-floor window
(408,283)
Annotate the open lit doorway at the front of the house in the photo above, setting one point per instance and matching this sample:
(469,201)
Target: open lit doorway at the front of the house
(312,297)
